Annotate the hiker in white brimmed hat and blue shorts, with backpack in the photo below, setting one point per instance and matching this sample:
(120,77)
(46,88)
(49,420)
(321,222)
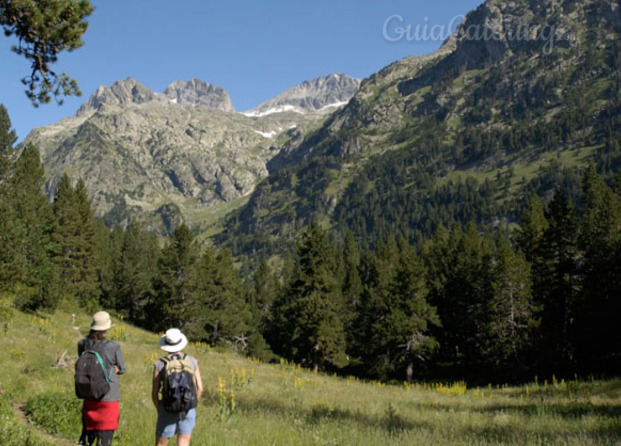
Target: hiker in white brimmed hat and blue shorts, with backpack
(176,411)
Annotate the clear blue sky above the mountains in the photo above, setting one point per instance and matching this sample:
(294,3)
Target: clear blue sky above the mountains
(253,49)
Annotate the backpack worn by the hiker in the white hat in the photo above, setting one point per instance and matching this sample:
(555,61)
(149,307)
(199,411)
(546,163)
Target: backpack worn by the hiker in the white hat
(178,384)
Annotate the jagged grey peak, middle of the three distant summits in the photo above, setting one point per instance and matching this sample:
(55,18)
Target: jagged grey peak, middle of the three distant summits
(198,92)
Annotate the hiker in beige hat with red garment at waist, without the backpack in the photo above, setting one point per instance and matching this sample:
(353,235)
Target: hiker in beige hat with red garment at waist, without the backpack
(100,418)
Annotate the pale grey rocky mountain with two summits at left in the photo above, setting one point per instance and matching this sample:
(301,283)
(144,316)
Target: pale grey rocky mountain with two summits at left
(165,157)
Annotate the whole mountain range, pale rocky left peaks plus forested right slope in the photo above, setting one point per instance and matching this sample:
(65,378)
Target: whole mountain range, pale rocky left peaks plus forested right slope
(477,108)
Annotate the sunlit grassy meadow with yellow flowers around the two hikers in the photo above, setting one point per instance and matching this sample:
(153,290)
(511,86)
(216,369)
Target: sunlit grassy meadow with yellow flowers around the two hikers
(250,403)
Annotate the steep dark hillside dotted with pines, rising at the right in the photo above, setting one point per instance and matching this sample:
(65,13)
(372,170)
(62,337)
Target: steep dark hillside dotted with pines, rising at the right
(519,101)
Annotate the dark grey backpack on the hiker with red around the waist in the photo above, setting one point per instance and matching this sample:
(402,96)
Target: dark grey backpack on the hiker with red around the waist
(92,381)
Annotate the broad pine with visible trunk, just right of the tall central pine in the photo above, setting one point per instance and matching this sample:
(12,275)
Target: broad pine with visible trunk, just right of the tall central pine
(391,331)
